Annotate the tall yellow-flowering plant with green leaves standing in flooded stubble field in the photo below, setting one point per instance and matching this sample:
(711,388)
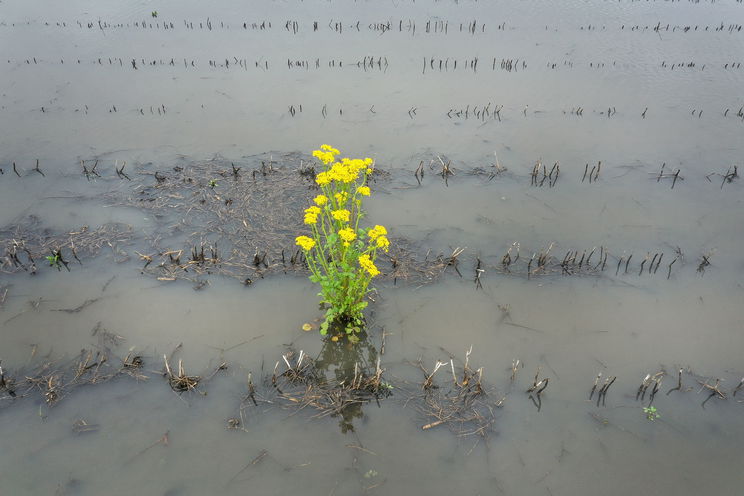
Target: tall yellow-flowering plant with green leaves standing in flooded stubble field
(340,253)
